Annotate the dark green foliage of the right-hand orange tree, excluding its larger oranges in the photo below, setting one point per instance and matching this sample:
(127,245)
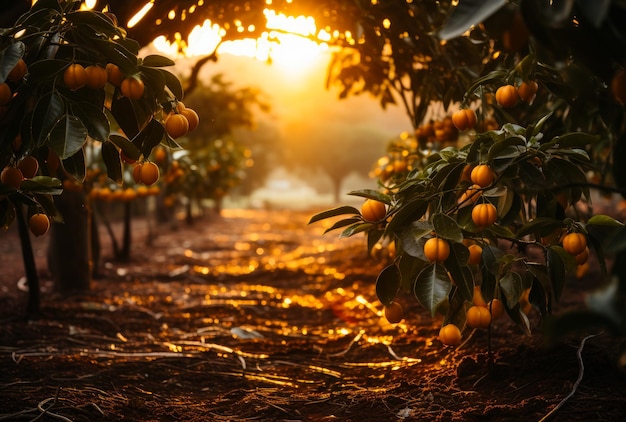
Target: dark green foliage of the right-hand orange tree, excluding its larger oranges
(541,151)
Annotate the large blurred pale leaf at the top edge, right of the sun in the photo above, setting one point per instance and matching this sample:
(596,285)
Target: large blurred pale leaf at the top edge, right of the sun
(466,14)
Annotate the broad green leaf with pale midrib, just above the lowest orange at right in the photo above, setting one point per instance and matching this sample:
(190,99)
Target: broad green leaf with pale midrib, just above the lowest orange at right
(432,287)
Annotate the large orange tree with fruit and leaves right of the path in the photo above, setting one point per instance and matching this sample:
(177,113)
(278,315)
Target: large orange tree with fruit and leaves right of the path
(520,192)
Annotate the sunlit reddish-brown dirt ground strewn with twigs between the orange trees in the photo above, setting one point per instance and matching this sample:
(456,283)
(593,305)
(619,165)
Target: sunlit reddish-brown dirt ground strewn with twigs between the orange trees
(256,316)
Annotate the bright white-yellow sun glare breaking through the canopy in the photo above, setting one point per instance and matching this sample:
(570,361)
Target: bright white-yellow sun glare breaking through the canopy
(293,43)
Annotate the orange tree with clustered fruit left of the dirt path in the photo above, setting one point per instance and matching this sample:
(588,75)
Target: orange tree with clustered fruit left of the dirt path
(72,73)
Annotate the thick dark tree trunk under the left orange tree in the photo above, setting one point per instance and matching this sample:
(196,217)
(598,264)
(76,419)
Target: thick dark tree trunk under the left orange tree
(69,256)
